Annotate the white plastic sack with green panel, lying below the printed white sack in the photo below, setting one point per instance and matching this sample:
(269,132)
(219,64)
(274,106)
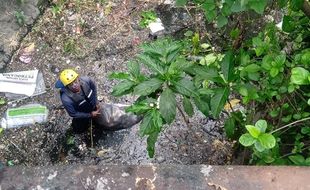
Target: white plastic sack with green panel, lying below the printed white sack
(24,115)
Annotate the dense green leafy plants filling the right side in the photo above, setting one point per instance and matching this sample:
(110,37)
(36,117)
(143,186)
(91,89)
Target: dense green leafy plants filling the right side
(268,71)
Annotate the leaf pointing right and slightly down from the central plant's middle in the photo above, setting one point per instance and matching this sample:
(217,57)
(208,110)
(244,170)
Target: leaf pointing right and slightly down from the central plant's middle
(185,87)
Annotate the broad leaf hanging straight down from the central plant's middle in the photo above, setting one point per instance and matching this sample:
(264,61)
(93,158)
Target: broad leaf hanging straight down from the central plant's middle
(167,105)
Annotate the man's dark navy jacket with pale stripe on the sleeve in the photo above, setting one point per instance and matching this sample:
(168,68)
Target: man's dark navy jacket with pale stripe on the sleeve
(80,105)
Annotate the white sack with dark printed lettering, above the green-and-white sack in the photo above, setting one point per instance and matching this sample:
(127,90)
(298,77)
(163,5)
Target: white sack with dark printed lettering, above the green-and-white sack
(22,83)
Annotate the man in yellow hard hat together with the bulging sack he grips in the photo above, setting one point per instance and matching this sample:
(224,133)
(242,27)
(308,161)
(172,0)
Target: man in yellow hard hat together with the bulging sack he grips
(79,97)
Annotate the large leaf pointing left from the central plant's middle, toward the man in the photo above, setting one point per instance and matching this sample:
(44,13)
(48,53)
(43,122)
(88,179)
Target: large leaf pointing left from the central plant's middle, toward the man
(147,87)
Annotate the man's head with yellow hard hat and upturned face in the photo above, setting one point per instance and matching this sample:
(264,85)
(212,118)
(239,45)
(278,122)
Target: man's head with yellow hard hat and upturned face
(70,79)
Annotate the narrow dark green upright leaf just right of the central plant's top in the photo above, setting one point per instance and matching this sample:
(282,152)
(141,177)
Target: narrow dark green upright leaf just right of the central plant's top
(228,66)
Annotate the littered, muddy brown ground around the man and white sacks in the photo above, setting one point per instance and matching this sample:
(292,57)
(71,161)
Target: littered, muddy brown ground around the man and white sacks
(96,40)
